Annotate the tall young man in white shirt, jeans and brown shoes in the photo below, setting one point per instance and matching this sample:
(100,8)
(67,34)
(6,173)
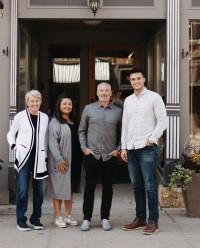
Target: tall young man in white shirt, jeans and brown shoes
(144,120)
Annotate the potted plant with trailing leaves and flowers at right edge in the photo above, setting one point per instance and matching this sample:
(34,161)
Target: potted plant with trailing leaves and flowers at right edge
(187,176)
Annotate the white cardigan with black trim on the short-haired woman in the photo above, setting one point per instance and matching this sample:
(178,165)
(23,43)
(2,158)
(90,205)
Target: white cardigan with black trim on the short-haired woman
(21,134)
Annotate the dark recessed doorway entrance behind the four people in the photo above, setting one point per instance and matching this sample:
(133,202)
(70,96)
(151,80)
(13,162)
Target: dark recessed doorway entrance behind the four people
(73,56)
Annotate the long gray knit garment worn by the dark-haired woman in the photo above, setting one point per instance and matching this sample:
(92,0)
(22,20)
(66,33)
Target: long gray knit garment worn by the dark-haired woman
(59,150)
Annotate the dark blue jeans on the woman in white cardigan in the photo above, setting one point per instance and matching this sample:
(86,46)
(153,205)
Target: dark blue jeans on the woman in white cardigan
(22,186)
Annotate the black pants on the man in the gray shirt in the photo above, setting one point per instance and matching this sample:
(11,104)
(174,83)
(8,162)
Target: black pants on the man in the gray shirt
(92,169)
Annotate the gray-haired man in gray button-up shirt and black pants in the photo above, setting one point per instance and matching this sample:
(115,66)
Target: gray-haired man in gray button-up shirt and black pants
(99,135)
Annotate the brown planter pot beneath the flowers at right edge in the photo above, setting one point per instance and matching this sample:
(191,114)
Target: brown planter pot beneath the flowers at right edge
(192,196)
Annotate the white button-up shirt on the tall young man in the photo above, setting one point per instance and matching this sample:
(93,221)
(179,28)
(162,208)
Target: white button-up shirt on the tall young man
(144,118)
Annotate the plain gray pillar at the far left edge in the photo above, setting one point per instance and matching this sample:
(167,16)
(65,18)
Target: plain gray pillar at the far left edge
(5,15)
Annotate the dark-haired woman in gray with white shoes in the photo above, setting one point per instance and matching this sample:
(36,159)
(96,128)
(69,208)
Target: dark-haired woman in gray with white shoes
(60,158)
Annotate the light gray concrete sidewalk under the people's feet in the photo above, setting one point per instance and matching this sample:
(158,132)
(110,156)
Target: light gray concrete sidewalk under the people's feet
(176,229)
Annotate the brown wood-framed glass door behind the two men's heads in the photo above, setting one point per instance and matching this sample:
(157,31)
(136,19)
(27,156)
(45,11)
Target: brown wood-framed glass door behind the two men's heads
(112,64)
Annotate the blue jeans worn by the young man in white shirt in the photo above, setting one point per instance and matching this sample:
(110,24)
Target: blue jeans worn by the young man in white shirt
(142,165)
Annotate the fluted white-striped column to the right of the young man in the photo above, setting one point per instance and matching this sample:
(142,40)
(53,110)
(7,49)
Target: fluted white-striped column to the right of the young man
(173,99)
